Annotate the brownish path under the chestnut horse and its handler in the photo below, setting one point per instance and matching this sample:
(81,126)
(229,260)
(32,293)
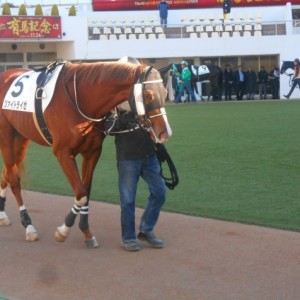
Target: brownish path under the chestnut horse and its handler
(203,259)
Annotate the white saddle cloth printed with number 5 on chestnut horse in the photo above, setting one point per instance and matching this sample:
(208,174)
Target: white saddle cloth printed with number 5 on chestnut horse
(21,94)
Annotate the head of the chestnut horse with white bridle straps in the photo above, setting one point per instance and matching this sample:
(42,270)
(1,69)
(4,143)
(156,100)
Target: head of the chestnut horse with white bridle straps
(152,93)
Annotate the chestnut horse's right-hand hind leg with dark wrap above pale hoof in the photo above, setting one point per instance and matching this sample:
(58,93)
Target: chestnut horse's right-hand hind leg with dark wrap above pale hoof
(13,148)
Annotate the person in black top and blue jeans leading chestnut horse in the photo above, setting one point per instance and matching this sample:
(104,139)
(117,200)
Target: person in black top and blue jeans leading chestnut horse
(136,158)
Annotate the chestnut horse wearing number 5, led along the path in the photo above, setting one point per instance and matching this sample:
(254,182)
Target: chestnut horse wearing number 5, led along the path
(83,95)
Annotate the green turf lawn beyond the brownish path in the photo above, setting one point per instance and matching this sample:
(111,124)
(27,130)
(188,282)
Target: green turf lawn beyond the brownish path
(236,161)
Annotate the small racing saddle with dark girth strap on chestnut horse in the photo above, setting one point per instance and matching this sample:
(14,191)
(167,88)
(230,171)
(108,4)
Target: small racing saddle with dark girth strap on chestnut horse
(46,73)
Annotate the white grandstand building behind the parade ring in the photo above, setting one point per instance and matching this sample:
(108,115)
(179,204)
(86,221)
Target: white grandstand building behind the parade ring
(250,35)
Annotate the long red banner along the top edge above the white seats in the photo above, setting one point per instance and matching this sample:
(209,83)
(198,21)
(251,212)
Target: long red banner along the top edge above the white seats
(106,5)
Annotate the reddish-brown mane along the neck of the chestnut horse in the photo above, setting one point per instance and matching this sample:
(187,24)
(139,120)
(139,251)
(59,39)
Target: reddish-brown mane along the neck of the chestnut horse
(101,72)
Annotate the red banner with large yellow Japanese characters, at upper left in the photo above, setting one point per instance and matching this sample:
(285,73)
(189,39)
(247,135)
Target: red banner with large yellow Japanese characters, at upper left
(29,27)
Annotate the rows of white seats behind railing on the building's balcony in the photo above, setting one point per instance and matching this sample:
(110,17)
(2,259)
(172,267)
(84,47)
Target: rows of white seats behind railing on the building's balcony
(126,29)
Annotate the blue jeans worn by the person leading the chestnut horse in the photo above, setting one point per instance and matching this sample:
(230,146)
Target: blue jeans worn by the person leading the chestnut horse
(129,174)
